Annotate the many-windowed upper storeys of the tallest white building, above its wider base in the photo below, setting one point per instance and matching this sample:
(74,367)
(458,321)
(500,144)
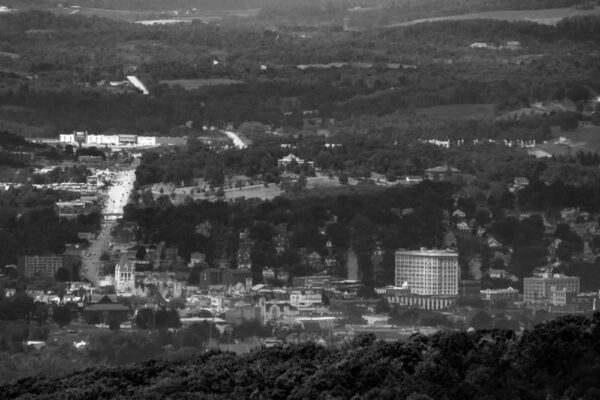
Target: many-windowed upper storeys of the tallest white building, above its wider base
(428,272)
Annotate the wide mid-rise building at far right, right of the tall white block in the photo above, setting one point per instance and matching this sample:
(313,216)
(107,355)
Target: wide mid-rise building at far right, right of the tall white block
(545,288)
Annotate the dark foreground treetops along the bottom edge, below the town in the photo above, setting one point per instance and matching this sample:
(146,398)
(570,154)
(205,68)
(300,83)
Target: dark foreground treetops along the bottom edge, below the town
(553,360)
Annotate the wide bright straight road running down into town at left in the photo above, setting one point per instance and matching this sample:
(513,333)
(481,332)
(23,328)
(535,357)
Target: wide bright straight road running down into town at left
(118,196)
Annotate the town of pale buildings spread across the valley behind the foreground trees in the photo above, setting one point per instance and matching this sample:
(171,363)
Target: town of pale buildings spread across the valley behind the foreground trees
(114,278)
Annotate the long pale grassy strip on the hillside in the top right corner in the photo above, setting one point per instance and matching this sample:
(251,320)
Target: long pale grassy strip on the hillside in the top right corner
(549,16)
